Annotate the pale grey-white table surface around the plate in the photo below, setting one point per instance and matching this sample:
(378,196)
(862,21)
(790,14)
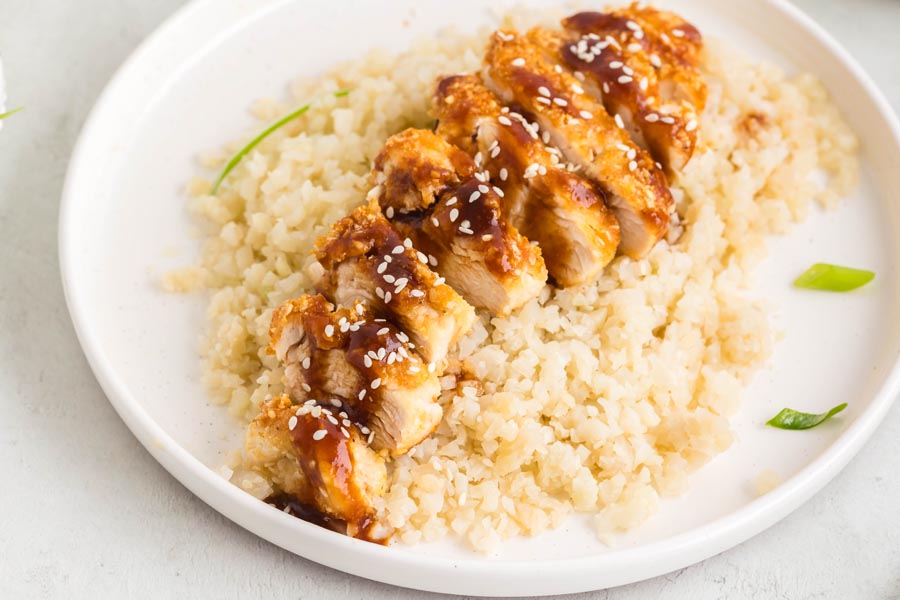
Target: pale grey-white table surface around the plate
(85,512)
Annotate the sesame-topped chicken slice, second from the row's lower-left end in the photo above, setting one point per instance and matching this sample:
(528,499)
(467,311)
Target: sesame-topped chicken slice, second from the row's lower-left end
(357,362)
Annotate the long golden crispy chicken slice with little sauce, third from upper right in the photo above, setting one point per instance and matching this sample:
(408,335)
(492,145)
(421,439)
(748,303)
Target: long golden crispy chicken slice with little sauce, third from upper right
(517,70)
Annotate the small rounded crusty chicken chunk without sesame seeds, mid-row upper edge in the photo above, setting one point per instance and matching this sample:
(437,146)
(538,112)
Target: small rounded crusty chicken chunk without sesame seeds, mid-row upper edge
(413,180)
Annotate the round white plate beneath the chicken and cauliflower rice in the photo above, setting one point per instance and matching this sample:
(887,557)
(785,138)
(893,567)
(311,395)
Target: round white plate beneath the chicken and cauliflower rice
(187,88)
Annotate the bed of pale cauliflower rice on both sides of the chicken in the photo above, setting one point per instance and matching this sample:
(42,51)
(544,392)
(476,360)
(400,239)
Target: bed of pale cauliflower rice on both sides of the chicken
(601,398)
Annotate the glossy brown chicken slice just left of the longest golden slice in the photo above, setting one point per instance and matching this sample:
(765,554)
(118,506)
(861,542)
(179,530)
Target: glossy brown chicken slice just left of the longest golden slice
(559,210)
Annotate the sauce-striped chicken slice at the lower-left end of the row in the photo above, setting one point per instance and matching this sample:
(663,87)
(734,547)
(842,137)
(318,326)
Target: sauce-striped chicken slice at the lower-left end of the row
(319,458)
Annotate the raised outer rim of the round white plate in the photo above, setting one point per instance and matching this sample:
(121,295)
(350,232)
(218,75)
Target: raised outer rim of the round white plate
(489,576)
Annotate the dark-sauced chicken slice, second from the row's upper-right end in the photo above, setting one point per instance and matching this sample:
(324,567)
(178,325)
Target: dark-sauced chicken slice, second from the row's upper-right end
(623,78)
